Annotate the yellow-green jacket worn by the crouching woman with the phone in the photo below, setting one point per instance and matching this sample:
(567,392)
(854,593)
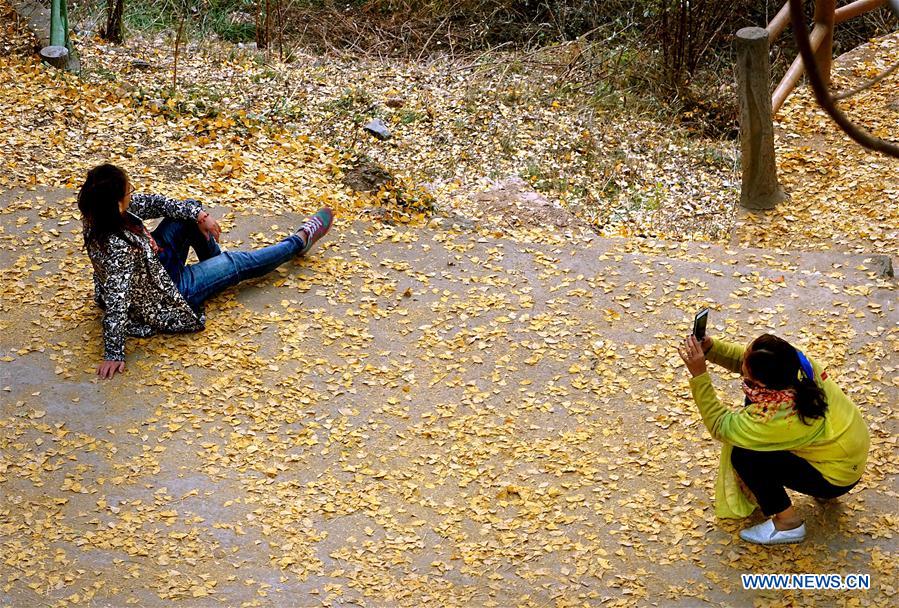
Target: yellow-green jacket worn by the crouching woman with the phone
(836,445)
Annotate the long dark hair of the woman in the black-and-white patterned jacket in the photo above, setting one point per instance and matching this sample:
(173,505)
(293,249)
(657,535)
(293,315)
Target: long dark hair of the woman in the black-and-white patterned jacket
(98,201)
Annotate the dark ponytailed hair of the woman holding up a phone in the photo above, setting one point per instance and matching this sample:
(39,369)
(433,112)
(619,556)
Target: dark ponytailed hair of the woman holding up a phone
(775,363)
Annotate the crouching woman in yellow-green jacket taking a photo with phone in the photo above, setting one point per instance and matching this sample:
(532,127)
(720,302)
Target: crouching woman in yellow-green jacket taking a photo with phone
(797,430)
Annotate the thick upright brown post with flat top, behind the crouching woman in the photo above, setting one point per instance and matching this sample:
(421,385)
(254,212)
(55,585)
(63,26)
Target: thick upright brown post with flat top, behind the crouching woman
(760,189)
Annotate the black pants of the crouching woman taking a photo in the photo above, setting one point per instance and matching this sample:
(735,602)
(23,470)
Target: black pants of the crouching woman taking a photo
(767,474)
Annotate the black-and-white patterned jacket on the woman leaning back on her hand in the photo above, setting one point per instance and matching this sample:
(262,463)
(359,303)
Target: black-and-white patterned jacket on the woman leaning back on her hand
(132,286)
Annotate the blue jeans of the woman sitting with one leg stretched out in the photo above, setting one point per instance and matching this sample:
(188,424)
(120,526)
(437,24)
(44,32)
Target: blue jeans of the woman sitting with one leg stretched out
(217,270)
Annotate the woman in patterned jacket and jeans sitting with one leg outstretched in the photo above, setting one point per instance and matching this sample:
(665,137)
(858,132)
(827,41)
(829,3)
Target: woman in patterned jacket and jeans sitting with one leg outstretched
(142,280)
